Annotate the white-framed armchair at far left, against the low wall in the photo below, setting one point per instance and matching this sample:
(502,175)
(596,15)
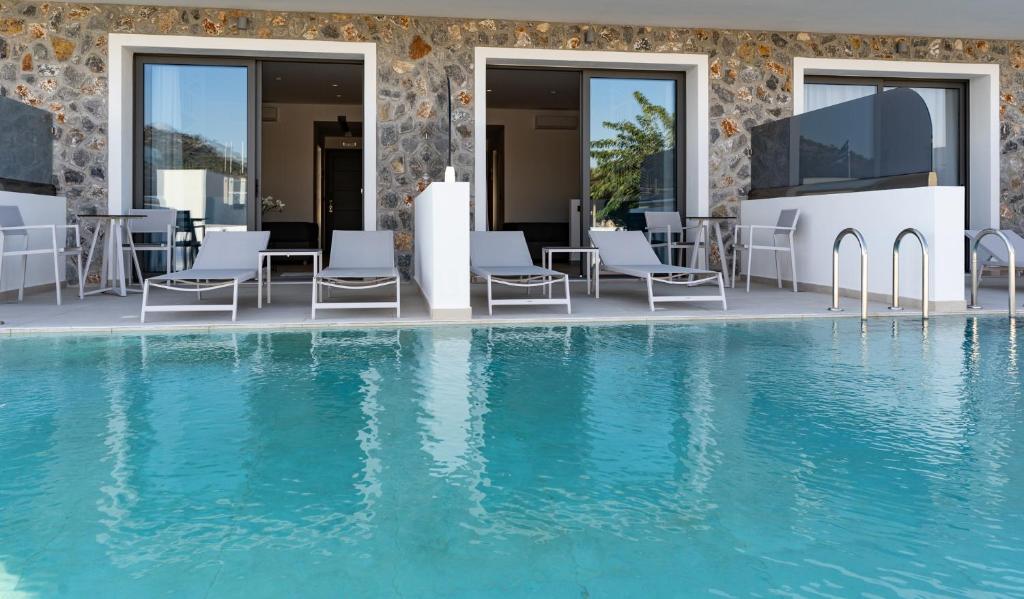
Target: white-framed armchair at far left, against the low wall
(13,230)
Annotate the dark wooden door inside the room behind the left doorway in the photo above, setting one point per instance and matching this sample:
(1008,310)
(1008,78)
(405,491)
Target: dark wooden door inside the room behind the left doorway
(343,193)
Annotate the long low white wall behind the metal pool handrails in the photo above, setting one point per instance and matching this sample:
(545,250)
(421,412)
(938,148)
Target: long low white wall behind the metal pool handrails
(880,217)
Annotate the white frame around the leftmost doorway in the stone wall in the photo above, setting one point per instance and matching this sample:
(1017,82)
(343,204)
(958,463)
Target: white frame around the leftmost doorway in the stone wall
(123,49)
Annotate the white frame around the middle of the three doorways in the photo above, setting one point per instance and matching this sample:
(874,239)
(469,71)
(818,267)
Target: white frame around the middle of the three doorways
(695,67)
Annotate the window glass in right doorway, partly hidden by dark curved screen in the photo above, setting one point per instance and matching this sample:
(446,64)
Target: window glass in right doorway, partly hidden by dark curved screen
(947,105)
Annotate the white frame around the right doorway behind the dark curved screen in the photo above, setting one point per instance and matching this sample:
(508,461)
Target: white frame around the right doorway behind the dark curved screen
(984,117)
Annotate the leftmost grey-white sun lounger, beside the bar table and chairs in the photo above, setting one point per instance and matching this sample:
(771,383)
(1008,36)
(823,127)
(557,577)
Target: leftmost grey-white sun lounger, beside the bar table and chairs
(227,260)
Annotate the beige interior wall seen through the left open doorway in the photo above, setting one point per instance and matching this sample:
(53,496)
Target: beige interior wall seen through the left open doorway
(289,159)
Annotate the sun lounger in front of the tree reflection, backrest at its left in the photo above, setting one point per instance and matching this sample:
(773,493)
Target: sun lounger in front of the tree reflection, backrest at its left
(629,253)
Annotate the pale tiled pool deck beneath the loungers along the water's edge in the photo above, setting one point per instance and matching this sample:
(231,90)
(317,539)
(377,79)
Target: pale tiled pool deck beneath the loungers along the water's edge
(621,302)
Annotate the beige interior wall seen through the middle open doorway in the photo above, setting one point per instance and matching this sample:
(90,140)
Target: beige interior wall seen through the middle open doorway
(542,167)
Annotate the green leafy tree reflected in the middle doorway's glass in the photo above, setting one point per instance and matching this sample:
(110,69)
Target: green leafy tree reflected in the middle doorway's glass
(621,160)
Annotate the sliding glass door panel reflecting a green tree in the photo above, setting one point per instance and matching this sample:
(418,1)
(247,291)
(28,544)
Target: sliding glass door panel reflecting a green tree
(631,153)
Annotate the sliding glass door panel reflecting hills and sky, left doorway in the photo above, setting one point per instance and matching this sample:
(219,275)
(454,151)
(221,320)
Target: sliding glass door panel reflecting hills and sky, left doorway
(195,139)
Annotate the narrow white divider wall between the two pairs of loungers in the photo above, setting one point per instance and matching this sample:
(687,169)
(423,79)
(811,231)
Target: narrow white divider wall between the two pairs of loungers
(442,258)
